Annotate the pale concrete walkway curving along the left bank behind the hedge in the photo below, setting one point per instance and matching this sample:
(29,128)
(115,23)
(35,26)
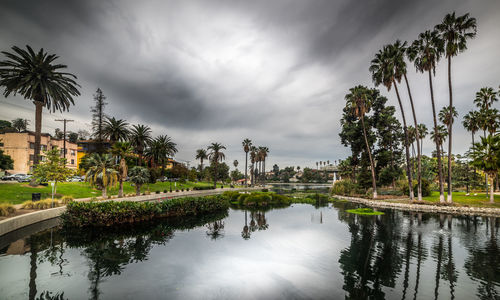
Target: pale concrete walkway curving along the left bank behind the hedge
(20,221)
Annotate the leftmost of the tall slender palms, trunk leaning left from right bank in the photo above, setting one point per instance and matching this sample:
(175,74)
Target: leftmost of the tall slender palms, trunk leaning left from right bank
(385,71)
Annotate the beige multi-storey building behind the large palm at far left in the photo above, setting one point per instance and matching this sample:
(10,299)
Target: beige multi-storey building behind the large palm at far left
(20,146)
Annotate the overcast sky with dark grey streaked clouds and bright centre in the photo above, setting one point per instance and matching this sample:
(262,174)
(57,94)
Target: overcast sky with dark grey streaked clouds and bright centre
(275,72)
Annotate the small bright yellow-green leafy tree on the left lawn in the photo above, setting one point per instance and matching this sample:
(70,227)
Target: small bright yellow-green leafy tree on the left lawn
(54,169)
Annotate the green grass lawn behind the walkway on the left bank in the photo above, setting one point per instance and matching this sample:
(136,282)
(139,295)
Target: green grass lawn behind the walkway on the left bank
(16,193)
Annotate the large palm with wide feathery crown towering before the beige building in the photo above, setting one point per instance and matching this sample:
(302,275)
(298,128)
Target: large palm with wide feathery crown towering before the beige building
(37,77)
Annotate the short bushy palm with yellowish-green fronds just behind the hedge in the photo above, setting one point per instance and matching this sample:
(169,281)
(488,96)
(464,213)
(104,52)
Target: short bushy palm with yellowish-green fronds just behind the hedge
(101,171)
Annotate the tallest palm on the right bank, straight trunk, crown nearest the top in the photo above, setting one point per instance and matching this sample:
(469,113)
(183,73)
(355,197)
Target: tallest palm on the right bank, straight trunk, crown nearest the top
(454,31)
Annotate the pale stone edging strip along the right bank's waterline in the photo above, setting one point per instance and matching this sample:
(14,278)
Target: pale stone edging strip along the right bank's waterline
(455,210)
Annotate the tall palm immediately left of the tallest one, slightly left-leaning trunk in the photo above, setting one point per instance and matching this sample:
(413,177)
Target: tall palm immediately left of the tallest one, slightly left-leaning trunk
(425,52)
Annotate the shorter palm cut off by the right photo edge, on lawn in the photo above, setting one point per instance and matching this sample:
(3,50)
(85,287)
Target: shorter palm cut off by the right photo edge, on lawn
(485,156)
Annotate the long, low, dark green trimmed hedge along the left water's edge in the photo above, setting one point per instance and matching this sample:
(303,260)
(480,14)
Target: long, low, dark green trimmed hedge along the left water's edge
(82,214)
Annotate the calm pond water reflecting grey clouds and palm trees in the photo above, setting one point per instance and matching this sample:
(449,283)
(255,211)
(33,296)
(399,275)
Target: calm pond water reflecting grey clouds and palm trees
(291,253)
